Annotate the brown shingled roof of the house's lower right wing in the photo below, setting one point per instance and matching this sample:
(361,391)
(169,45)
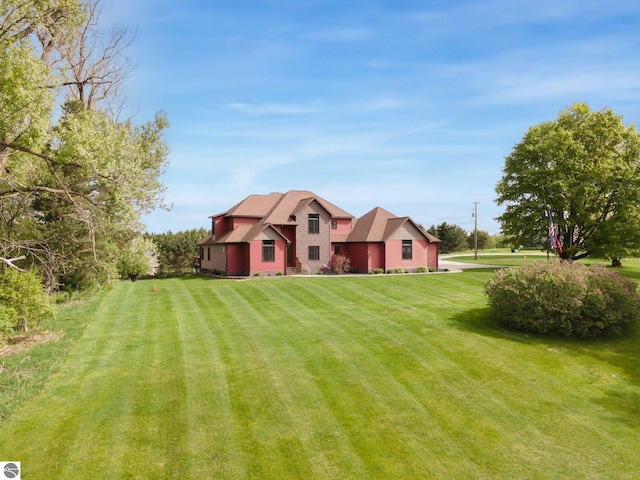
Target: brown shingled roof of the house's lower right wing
(378,225)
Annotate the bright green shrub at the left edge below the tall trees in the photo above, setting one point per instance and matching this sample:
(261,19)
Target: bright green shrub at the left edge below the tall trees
(23,304)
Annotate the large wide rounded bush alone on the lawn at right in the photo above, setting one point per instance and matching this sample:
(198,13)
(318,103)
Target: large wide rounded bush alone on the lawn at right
(563,298)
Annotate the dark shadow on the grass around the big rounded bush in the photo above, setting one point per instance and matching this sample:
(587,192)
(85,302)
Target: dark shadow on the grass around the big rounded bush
(622,353)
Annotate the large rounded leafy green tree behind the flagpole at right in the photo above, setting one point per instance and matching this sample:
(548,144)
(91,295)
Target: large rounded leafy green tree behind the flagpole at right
(584,168)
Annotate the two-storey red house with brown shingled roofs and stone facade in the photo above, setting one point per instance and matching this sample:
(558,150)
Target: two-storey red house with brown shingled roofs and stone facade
(299,231)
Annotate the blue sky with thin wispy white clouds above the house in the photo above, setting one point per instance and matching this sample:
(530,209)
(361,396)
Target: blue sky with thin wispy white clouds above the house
(407,105)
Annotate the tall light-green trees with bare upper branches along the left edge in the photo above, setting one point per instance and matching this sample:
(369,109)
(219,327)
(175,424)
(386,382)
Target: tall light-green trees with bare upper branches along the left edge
(75,177)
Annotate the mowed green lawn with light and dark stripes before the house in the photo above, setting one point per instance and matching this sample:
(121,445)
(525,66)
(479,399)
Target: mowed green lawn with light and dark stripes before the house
(394,377)
